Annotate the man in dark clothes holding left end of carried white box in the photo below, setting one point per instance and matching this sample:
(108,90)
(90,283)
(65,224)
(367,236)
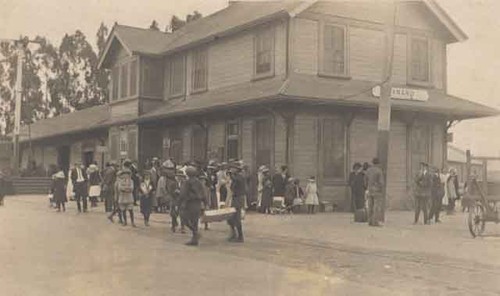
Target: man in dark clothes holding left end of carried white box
(191,197)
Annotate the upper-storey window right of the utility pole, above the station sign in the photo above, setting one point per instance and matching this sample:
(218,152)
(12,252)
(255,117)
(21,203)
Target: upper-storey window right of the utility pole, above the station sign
(419,60)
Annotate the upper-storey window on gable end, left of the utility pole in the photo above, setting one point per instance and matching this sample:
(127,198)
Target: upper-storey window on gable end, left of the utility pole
(333,53)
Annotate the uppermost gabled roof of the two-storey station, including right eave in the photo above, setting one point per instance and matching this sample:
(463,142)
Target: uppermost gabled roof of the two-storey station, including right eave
(236,17)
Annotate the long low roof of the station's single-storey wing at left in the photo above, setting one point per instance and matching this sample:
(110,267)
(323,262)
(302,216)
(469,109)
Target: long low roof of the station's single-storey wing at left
(65,124)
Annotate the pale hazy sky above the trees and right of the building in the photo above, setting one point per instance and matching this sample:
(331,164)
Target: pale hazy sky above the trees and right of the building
(473,66)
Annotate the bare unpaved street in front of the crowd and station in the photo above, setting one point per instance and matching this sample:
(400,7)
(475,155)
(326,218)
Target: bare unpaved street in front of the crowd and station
(48,253)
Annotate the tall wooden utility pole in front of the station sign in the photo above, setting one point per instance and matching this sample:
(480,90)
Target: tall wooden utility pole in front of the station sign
(384,107)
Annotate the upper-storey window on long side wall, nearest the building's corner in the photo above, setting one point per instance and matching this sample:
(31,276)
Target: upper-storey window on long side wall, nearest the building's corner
(264,53)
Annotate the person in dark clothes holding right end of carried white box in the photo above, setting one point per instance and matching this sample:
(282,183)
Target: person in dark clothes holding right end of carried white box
(238,191)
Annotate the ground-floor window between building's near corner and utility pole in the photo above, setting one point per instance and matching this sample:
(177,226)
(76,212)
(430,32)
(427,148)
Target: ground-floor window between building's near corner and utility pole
(333,146)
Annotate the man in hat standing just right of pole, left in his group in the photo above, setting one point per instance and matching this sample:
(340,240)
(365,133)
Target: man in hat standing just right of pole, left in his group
(423,183)
